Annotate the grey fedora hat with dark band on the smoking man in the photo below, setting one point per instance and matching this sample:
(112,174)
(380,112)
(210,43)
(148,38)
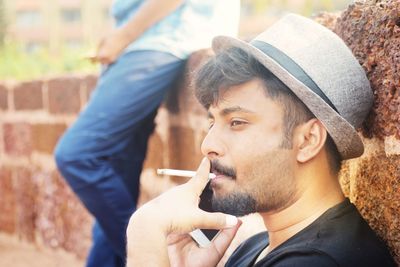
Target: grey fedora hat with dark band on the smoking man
(320,70)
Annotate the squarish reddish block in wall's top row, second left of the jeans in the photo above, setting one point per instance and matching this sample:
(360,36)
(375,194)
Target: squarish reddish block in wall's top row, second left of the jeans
(64,95)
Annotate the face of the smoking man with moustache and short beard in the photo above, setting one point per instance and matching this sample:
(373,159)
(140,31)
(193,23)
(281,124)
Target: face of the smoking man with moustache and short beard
(254,174)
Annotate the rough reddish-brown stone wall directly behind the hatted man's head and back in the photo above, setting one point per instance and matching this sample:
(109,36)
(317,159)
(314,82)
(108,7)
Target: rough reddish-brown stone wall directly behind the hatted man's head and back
(372,31)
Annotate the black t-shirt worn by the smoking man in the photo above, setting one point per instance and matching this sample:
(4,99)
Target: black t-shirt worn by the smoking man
(339,237)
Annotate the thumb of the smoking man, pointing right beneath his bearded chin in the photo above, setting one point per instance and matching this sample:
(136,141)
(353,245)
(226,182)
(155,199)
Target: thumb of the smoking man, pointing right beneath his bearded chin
(215,220)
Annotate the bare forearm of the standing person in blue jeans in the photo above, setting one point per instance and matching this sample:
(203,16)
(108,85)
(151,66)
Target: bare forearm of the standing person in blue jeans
(149,13)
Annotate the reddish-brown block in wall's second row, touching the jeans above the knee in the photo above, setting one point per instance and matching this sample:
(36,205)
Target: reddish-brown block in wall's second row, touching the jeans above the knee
(45,136)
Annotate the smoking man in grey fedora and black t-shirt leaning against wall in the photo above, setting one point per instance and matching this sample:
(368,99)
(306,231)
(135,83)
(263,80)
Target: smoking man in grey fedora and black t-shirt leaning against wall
(283,111)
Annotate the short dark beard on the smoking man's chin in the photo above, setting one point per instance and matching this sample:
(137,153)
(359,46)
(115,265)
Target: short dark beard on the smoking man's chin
(237,204)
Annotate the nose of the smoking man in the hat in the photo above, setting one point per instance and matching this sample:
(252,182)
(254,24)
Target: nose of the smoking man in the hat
(213,145)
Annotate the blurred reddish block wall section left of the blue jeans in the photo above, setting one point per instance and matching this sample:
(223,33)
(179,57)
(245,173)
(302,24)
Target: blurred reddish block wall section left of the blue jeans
(35,203)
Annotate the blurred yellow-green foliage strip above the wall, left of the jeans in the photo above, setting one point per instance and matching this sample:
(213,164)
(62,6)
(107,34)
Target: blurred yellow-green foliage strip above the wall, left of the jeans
(17,64)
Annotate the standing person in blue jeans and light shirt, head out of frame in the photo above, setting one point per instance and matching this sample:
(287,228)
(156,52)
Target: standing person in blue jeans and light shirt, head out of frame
(101,155)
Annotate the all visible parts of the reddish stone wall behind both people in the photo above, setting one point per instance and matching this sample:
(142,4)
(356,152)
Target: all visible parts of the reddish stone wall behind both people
(36,205)
